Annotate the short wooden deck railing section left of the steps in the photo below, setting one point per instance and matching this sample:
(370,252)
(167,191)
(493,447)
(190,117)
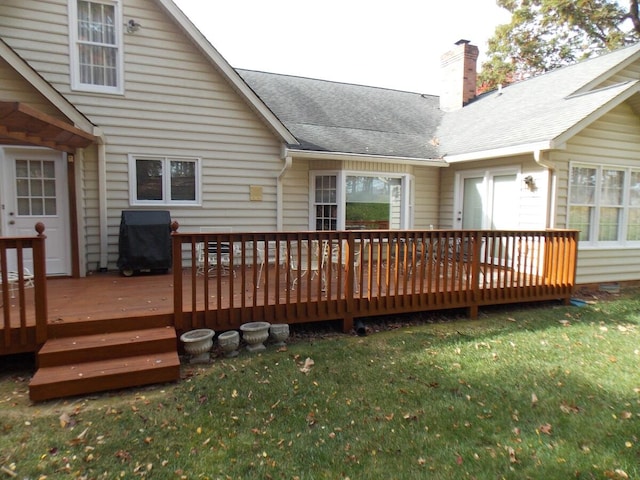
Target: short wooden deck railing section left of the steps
(15,280)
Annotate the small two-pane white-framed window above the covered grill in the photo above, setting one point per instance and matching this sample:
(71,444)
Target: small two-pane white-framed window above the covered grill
(164,180)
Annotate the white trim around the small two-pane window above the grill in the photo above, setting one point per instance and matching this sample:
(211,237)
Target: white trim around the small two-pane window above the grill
(166,180)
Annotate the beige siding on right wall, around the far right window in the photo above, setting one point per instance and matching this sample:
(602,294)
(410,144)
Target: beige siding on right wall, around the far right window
(612,140)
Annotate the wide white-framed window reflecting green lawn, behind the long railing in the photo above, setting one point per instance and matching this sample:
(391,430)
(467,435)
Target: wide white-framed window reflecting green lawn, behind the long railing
(359,201)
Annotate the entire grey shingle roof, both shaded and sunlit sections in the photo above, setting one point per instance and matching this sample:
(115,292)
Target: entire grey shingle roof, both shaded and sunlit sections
(337,117)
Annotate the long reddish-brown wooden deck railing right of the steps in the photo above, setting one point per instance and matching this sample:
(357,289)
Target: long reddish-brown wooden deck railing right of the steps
(222,280)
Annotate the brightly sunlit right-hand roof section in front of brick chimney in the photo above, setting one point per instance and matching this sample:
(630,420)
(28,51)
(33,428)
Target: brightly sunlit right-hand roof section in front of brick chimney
(539,113)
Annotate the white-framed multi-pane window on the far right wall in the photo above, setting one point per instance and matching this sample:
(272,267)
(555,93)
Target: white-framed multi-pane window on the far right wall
(604,203)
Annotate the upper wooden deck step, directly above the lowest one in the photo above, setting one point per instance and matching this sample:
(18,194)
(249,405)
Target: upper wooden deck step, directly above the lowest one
(104,346)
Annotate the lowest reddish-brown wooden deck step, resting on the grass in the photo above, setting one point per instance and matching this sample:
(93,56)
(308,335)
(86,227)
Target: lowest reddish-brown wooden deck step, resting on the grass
(98,376)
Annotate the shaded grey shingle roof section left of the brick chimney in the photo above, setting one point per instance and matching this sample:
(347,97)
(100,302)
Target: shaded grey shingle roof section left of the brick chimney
(339,117)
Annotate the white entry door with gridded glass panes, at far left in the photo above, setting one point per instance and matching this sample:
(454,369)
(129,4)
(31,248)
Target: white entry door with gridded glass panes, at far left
(34,189)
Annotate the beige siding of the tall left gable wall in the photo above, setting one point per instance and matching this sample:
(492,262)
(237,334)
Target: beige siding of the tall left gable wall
(175,103)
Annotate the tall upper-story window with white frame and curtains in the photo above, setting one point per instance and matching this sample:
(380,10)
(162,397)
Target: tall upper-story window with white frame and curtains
(96,45)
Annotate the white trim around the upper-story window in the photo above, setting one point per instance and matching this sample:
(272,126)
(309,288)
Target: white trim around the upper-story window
(74,62)
